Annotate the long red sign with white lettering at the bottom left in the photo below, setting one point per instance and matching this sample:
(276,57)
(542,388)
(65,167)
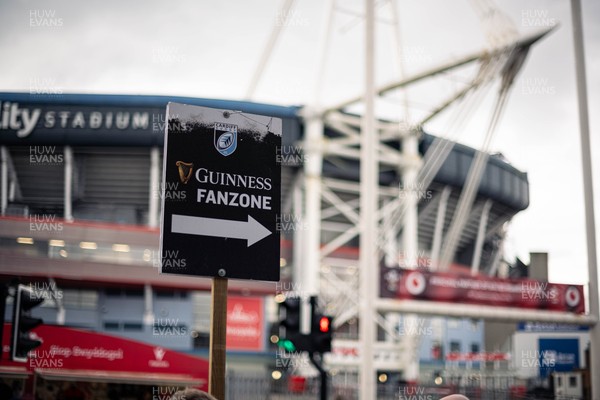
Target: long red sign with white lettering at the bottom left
(75,352)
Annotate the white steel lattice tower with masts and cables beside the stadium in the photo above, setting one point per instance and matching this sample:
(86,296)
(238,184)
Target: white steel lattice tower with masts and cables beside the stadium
(383,217)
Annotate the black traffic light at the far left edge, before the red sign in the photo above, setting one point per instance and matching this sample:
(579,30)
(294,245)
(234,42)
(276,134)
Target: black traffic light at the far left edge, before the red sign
(21,344)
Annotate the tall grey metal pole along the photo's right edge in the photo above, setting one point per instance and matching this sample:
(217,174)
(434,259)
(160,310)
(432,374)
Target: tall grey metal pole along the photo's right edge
(588,191)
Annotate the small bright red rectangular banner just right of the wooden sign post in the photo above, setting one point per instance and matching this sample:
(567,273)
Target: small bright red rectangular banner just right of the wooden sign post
(245,322)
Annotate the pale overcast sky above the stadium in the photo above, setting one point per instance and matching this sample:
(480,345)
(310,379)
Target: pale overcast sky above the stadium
(203,48)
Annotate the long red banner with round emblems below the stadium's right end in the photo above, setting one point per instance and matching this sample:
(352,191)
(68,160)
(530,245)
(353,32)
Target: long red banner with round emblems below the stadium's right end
(422,284)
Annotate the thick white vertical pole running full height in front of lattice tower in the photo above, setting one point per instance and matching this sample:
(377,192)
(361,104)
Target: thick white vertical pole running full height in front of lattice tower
(369,182)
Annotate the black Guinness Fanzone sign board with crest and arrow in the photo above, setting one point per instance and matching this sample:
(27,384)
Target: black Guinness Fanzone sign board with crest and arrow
(220,193)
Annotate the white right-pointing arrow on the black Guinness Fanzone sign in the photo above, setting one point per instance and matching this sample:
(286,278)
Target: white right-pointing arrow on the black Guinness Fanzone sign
(252,231)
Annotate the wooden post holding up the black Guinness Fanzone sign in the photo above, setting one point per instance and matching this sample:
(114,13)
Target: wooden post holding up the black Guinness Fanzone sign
(218,333)
